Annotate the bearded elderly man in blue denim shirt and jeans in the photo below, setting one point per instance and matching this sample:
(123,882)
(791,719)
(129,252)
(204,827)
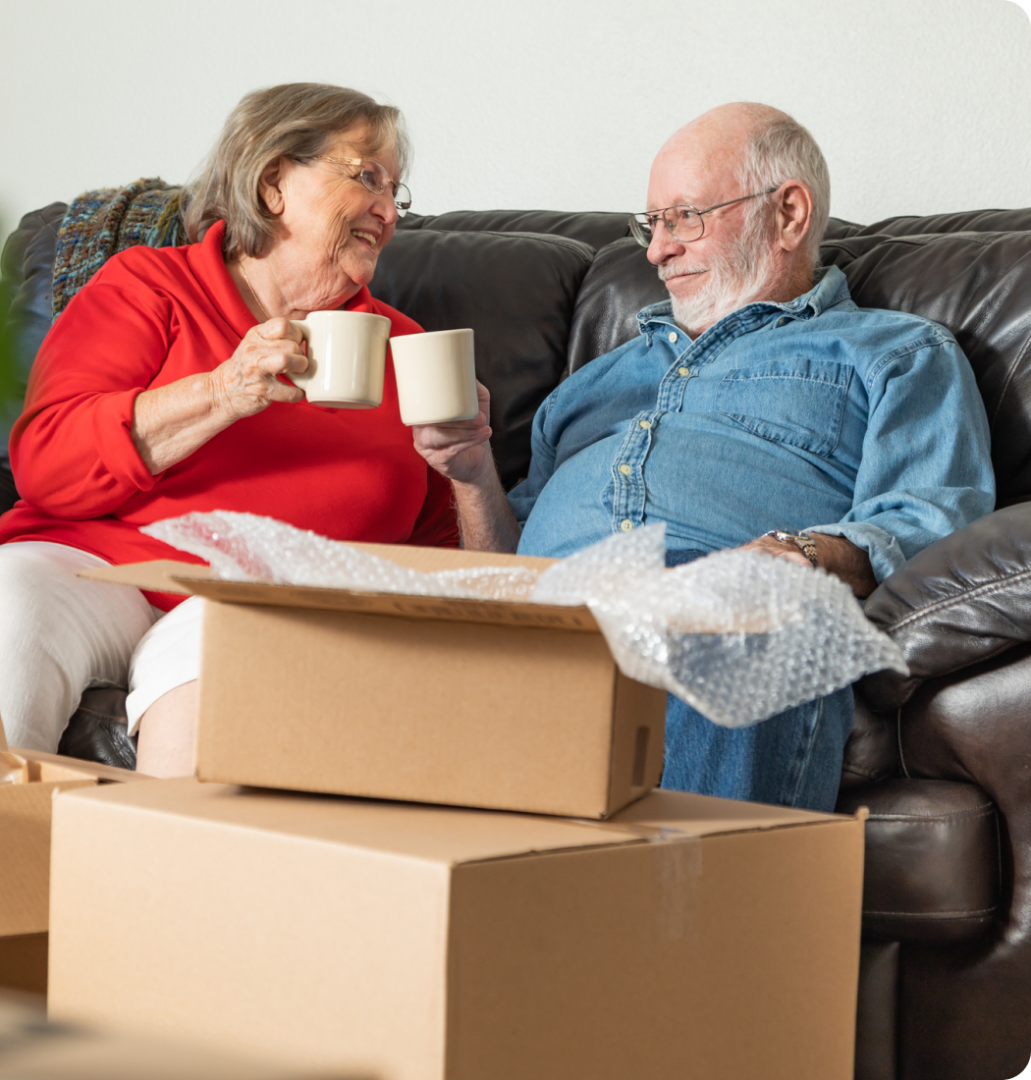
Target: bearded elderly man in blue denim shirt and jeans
(759,408)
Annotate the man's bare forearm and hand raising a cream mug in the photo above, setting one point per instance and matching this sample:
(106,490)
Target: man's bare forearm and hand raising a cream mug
(462,453)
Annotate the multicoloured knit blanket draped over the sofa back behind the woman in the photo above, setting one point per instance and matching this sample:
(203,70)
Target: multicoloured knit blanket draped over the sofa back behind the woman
(100,224)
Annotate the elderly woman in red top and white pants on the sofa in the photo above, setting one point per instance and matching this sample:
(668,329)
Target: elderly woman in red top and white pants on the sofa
(164,388)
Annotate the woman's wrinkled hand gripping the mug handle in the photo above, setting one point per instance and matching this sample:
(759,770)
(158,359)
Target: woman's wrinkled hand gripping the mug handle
(248,383)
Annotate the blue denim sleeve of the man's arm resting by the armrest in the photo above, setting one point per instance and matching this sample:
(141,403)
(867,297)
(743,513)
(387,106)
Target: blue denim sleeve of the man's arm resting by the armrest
(927,468)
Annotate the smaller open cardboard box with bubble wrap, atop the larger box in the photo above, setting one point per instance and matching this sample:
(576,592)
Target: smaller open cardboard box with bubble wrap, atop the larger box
(504,706)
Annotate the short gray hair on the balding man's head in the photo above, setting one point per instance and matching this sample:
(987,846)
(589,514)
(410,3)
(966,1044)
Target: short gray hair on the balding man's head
(782,150)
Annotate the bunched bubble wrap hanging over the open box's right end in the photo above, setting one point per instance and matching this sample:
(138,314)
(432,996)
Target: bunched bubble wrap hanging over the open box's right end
(739,636)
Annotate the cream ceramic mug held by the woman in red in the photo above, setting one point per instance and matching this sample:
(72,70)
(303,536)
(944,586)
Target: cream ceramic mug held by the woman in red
(347,355)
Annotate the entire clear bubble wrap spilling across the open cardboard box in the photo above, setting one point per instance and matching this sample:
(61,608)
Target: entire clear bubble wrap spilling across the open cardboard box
(739,636)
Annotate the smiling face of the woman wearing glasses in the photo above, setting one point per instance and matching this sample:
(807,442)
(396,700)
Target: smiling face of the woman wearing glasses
(332,228)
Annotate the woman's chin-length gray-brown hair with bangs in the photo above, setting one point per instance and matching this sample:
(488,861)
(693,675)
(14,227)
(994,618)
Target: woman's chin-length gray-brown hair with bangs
(296,120)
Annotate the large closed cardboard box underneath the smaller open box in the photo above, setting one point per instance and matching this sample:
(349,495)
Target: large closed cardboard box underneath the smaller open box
(689,937)
